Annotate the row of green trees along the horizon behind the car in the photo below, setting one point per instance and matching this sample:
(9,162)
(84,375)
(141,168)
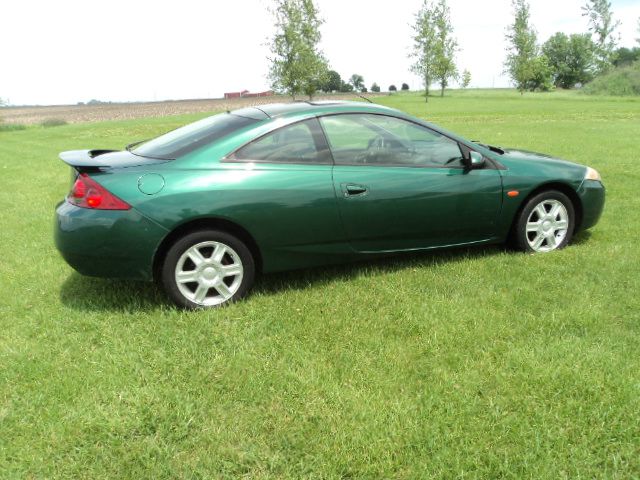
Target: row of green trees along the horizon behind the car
(298,66)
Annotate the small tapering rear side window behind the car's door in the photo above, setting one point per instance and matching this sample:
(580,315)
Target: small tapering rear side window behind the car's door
(301,142)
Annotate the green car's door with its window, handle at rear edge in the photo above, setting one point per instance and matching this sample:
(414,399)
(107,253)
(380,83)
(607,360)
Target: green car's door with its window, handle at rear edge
(403,186)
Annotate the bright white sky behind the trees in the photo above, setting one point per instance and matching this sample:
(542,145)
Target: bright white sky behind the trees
(71,51)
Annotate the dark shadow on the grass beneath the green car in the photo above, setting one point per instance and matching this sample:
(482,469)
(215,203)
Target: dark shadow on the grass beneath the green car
(114,295)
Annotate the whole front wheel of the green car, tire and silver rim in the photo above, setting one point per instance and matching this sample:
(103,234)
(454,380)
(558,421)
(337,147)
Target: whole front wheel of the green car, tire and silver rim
(545,224)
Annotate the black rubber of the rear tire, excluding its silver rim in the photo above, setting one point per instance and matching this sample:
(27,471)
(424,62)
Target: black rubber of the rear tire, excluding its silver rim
(181,245)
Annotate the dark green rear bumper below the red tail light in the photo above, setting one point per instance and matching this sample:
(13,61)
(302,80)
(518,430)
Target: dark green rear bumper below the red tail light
(107,243)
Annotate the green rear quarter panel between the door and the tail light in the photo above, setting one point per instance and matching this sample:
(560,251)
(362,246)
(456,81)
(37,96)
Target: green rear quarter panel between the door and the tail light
(289,210)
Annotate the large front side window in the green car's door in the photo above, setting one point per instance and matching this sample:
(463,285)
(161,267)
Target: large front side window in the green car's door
(370,139)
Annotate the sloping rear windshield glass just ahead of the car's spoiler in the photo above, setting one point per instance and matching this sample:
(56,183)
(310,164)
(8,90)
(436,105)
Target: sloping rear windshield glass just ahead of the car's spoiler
(186,139)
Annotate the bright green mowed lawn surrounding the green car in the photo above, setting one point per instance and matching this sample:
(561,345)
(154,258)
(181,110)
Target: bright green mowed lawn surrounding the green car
(472,363)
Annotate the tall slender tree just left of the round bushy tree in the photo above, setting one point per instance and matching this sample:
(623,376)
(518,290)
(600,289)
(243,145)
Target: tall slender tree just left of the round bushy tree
(522,49)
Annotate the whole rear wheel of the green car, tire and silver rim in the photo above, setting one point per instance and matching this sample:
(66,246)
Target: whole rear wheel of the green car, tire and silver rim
(207,268)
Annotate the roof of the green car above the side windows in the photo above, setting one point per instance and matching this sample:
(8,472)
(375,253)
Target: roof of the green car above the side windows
(276,110)
